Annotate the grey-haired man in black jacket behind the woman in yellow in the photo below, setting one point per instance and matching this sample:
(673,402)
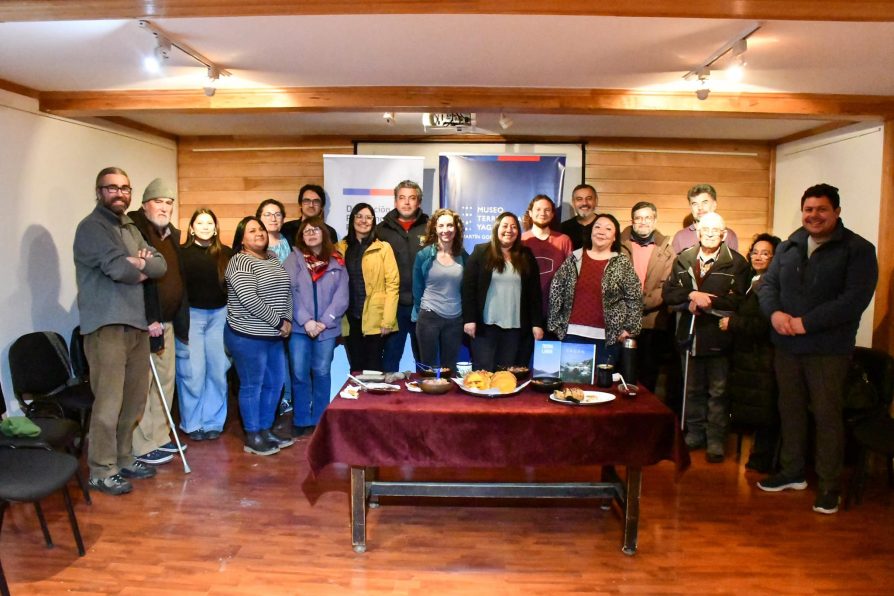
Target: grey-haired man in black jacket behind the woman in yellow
(404,229)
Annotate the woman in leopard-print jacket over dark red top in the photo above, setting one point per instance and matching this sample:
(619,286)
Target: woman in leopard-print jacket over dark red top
(595,296)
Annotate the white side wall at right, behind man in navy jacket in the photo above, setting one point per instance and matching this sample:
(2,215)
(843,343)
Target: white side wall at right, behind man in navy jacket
(849,159)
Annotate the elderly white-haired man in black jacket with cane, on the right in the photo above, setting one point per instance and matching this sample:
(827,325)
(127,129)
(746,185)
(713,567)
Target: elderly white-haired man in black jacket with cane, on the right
(707,282)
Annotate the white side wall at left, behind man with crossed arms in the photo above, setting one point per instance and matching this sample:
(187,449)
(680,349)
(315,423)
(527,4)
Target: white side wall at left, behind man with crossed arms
(47,171)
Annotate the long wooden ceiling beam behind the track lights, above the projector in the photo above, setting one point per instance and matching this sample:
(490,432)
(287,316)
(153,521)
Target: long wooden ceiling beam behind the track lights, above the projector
(448,99)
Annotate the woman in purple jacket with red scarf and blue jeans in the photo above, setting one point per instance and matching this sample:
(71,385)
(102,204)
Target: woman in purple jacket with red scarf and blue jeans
(319,282)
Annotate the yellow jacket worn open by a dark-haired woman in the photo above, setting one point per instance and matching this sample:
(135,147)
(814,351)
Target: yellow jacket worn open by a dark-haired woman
(382,280)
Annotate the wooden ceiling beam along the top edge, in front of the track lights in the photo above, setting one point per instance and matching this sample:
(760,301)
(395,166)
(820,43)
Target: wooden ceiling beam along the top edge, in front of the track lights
(807,10)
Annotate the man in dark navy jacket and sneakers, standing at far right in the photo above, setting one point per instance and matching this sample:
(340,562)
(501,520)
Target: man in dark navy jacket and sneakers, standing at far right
(815,291)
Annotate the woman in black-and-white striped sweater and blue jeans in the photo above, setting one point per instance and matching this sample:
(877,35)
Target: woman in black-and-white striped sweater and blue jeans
(259,315)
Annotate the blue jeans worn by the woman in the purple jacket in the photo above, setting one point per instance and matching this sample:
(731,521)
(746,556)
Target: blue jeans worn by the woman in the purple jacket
(311,377)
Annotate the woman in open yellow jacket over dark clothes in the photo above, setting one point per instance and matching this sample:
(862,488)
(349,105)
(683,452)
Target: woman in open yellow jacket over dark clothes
(374,284)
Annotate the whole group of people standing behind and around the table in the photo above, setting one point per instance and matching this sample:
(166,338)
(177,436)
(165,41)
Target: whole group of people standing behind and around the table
(280,298)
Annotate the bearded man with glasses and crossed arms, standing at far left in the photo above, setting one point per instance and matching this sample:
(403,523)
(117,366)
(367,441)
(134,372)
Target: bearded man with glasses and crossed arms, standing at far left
(112,260)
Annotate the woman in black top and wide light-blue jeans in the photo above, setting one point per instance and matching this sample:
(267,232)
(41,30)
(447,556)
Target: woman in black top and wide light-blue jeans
(202,363)
